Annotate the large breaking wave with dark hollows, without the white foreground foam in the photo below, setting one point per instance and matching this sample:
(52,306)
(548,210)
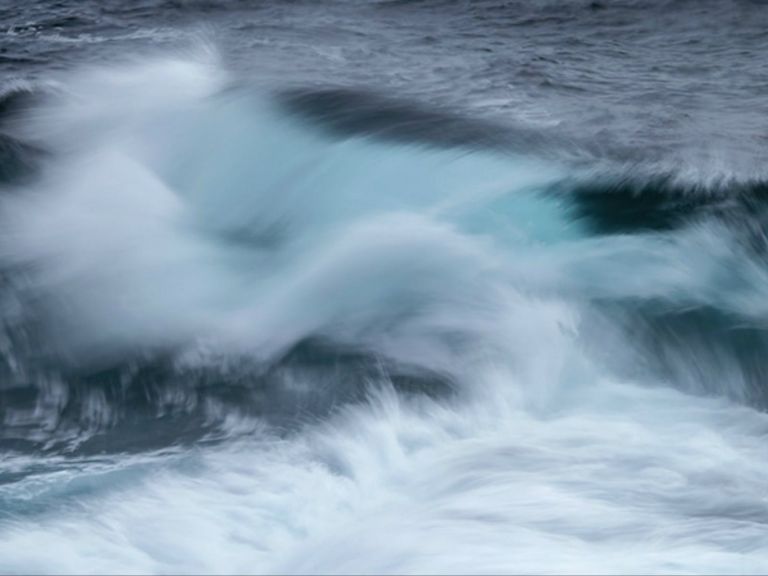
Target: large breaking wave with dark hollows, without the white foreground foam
(179,216)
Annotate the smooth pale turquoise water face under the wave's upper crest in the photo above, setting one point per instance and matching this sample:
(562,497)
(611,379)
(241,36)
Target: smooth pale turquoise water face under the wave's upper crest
(250,171)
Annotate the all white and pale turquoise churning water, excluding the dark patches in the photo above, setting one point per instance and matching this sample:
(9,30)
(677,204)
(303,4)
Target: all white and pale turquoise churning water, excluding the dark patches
(176,215)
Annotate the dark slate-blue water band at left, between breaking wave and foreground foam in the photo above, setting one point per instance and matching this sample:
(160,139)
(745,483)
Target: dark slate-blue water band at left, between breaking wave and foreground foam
(141,404)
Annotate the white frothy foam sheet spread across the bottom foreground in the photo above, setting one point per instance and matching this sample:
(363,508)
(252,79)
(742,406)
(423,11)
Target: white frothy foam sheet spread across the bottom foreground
(608,478)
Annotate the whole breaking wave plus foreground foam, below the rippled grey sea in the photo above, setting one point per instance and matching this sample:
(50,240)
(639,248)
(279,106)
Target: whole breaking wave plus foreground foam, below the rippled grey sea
(322,330)
